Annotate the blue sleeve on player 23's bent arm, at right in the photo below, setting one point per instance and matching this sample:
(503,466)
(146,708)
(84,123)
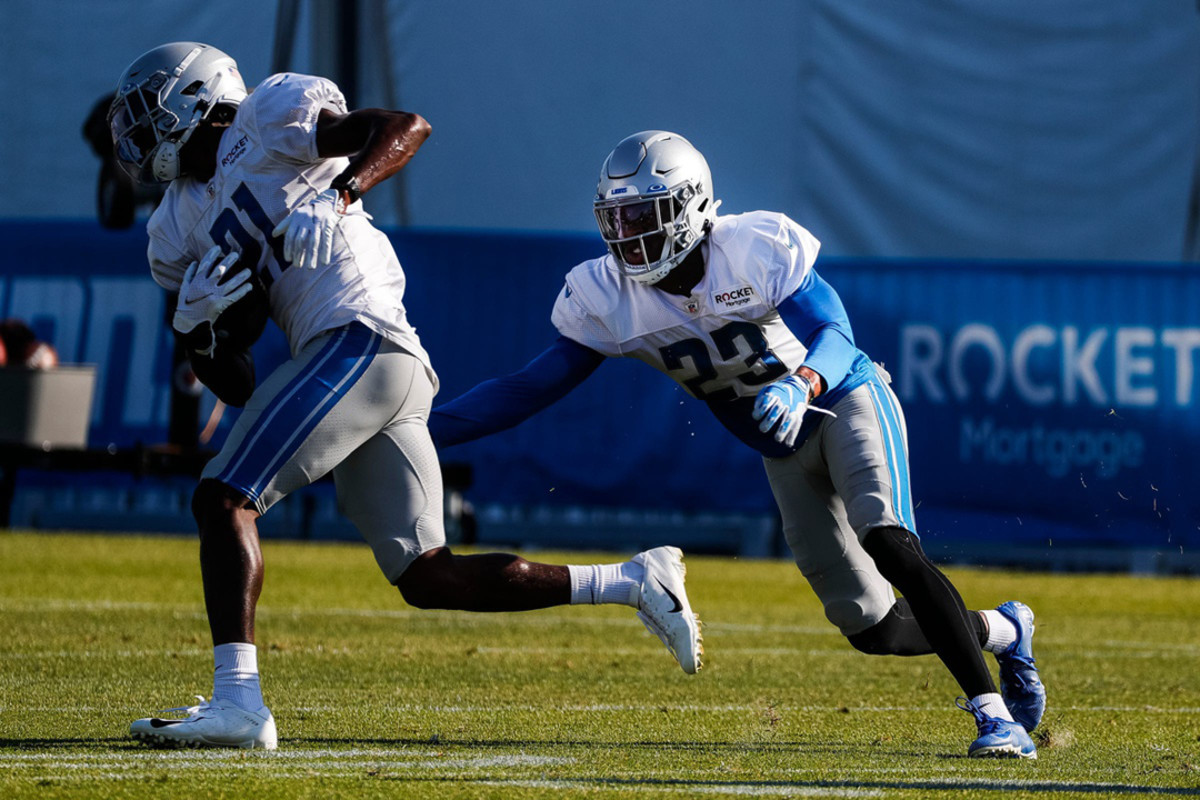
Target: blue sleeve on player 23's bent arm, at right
(815,315)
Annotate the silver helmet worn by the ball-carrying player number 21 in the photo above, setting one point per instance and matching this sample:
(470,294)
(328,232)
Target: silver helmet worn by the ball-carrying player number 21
(161,100)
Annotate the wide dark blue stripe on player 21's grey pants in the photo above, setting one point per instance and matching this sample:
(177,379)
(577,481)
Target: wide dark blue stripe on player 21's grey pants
(296,412)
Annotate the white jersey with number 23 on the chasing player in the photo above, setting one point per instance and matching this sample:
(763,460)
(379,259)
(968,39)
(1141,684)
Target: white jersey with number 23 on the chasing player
(725,341)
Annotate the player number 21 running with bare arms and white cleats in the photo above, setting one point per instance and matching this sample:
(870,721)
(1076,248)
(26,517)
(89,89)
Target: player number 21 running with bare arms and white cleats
(265,189)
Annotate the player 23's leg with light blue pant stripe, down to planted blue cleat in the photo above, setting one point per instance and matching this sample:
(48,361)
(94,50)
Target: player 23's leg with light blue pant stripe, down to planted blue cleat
(867,452)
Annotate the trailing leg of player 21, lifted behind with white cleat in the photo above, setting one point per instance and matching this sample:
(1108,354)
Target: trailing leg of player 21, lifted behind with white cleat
(392,490)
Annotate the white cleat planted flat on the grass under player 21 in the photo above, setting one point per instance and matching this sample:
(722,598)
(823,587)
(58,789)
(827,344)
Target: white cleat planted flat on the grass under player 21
(211,725)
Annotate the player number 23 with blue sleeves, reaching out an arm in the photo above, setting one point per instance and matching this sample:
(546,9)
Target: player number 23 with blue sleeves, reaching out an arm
(733,310)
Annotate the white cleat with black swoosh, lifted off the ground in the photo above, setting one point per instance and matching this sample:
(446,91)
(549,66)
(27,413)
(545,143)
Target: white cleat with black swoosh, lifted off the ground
(664,609)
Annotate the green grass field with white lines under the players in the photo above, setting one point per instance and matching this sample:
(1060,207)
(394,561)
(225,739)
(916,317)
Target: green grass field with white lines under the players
(375,700)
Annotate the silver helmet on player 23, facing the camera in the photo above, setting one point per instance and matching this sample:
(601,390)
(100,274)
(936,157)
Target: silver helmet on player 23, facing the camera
(655,203)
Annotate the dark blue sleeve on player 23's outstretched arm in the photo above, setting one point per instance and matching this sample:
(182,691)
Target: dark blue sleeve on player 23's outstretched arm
(501,404)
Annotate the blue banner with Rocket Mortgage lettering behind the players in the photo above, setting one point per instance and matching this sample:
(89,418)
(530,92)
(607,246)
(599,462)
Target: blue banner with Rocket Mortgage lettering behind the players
(1043,399)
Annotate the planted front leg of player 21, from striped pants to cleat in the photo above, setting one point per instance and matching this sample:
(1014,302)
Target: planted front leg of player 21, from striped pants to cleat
(290,434)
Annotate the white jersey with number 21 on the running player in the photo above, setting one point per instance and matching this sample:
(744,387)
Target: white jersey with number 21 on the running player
(267,166)
